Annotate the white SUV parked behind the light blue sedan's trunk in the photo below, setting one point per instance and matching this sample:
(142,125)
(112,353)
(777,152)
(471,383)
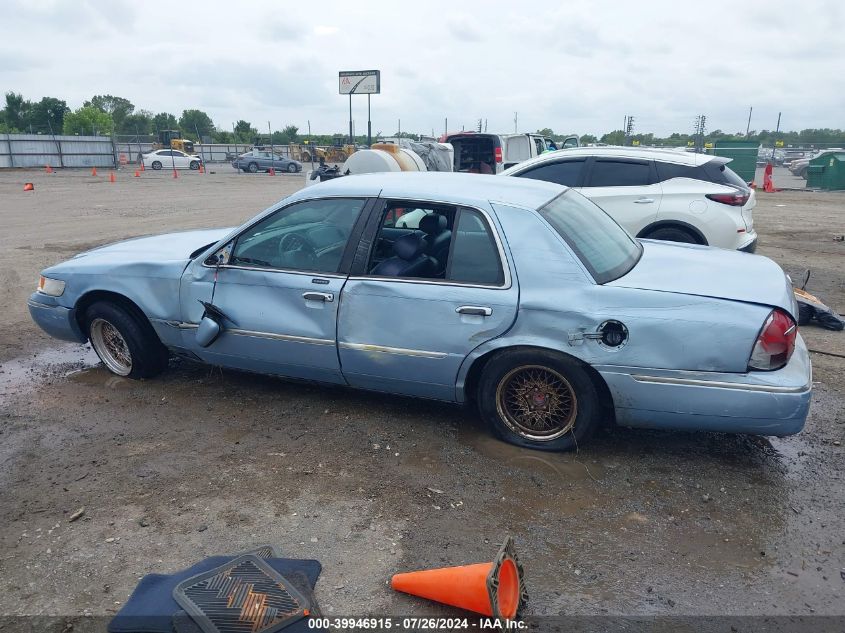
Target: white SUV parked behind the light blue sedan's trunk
(657,194)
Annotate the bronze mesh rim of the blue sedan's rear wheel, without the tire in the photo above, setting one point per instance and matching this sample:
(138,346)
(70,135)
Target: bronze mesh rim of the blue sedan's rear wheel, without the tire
(537,403)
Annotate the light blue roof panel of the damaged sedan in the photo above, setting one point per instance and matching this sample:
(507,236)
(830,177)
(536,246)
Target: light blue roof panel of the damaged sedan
(449,187)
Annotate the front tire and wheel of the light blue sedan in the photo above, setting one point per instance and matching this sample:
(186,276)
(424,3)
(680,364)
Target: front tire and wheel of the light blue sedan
(125,343)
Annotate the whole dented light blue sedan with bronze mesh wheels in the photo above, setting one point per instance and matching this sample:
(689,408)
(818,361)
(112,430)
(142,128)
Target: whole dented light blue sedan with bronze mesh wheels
(518,295)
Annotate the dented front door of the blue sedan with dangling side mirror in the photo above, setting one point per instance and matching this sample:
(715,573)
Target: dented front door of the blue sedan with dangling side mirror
(273,291)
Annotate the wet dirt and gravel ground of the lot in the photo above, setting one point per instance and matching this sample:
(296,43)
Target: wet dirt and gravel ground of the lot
(201,462)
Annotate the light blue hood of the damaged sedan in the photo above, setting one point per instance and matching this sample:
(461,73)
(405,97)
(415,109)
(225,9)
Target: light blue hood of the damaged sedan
(167,247)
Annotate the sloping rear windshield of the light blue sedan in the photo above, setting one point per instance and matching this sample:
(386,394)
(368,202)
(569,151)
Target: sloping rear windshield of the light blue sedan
(604,247)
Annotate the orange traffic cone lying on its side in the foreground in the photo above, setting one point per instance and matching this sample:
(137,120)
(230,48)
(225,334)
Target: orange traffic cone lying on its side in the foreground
(493,589)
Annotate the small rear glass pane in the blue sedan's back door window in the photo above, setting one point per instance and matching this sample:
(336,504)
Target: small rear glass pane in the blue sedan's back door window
(475,257)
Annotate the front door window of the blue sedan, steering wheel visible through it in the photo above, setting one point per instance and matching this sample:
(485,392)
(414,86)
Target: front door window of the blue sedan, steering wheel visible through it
(309,235)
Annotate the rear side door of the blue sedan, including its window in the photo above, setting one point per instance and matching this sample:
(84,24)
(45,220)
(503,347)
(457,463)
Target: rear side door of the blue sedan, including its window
(420,300)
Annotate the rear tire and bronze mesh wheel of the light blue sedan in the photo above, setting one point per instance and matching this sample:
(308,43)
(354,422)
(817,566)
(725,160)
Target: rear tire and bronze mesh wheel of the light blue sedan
(538,400)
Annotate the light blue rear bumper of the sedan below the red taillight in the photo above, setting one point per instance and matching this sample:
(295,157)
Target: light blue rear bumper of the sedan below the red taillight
(760,403)
